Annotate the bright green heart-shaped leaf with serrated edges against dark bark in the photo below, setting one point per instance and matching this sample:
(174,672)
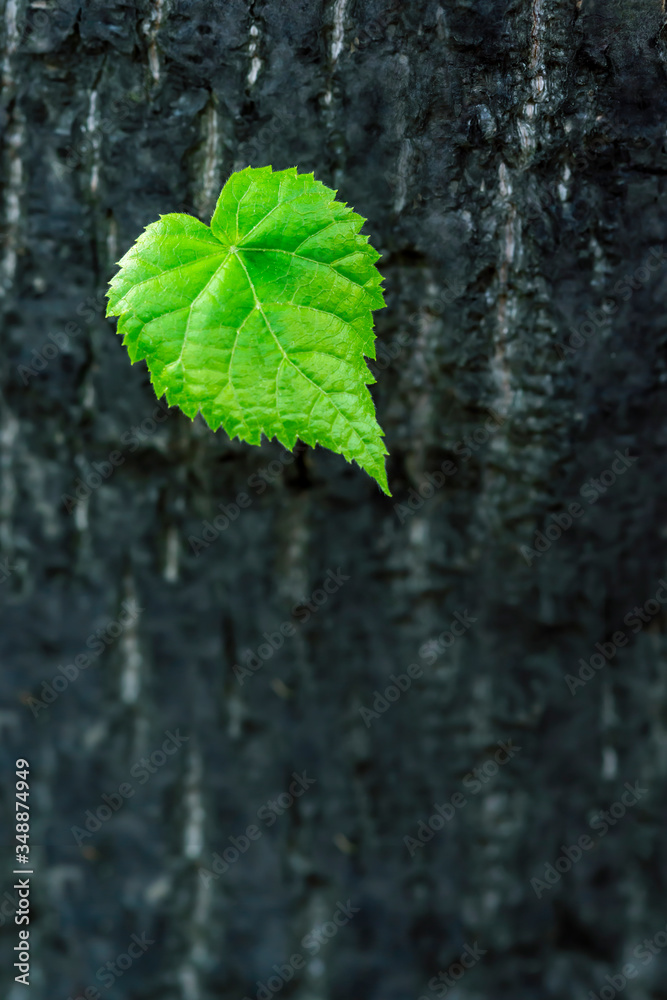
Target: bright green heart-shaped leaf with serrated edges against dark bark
(262,321)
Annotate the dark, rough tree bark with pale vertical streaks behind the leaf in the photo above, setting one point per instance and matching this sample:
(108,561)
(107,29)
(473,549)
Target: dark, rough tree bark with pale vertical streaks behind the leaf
(510,158)
